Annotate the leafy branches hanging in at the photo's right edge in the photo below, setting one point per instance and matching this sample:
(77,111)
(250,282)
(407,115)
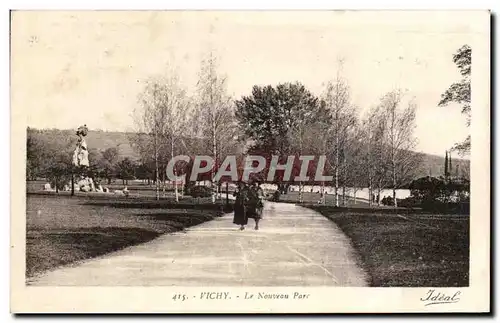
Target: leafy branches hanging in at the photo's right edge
(459,92)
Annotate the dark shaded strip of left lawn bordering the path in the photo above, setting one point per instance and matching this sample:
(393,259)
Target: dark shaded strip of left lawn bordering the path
(49,248)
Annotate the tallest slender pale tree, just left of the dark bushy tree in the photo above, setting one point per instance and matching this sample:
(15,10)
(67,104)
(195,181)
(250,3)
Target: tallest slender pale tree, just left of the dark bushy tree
(214,116)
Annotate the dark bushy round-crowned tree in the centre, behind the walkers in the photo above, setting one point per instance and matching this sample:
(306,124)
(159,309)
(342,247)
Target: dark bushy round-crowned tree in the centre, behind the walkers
(278,120)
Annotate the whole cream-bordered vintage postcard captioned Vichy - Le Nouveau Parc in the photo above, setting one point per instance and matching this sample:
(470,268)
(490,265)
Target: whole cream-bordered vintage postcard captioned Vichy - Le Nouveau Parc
(250,161)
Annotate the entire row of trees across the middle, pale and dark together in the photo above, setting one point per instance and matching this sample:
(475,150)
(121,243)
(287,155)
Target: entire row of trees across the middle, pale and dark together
(284,120)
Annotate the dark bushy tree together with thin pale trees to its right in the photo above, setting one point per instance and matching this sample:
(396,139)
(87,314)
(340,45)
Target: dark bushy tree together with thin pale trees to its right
(374,151)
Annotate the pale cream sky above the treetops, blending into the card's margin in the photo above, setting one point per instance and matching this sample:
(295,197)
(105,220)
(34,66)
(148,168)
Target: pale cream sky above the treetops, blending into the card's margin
(74,68)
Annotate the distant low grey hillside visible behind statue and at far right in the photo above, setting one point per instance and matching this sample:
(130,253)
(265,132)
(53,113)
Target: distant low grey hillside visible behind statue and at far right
(101,140)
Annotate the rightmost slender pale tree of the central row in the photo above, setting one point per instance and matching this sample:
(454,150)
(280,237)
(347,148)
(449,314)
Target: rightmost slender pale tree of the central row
(399,125)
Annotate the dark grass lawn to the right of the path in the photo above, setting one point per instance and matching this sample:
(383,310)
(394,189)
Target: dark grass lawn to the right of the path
(409,250)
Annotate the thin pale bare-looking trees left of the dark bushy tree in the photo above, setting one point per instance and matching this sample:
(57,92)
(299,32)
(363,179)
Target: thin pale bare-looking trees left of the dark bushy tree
(170,122)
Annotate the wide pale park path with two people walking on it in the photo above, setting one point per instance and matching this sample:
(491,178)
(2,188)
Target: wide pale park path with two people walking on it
(295,246)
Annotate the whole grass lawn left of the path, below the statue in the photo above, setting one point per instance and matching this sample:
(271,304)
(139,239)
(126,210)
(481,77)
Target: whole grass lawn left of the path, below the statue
(62,230)
